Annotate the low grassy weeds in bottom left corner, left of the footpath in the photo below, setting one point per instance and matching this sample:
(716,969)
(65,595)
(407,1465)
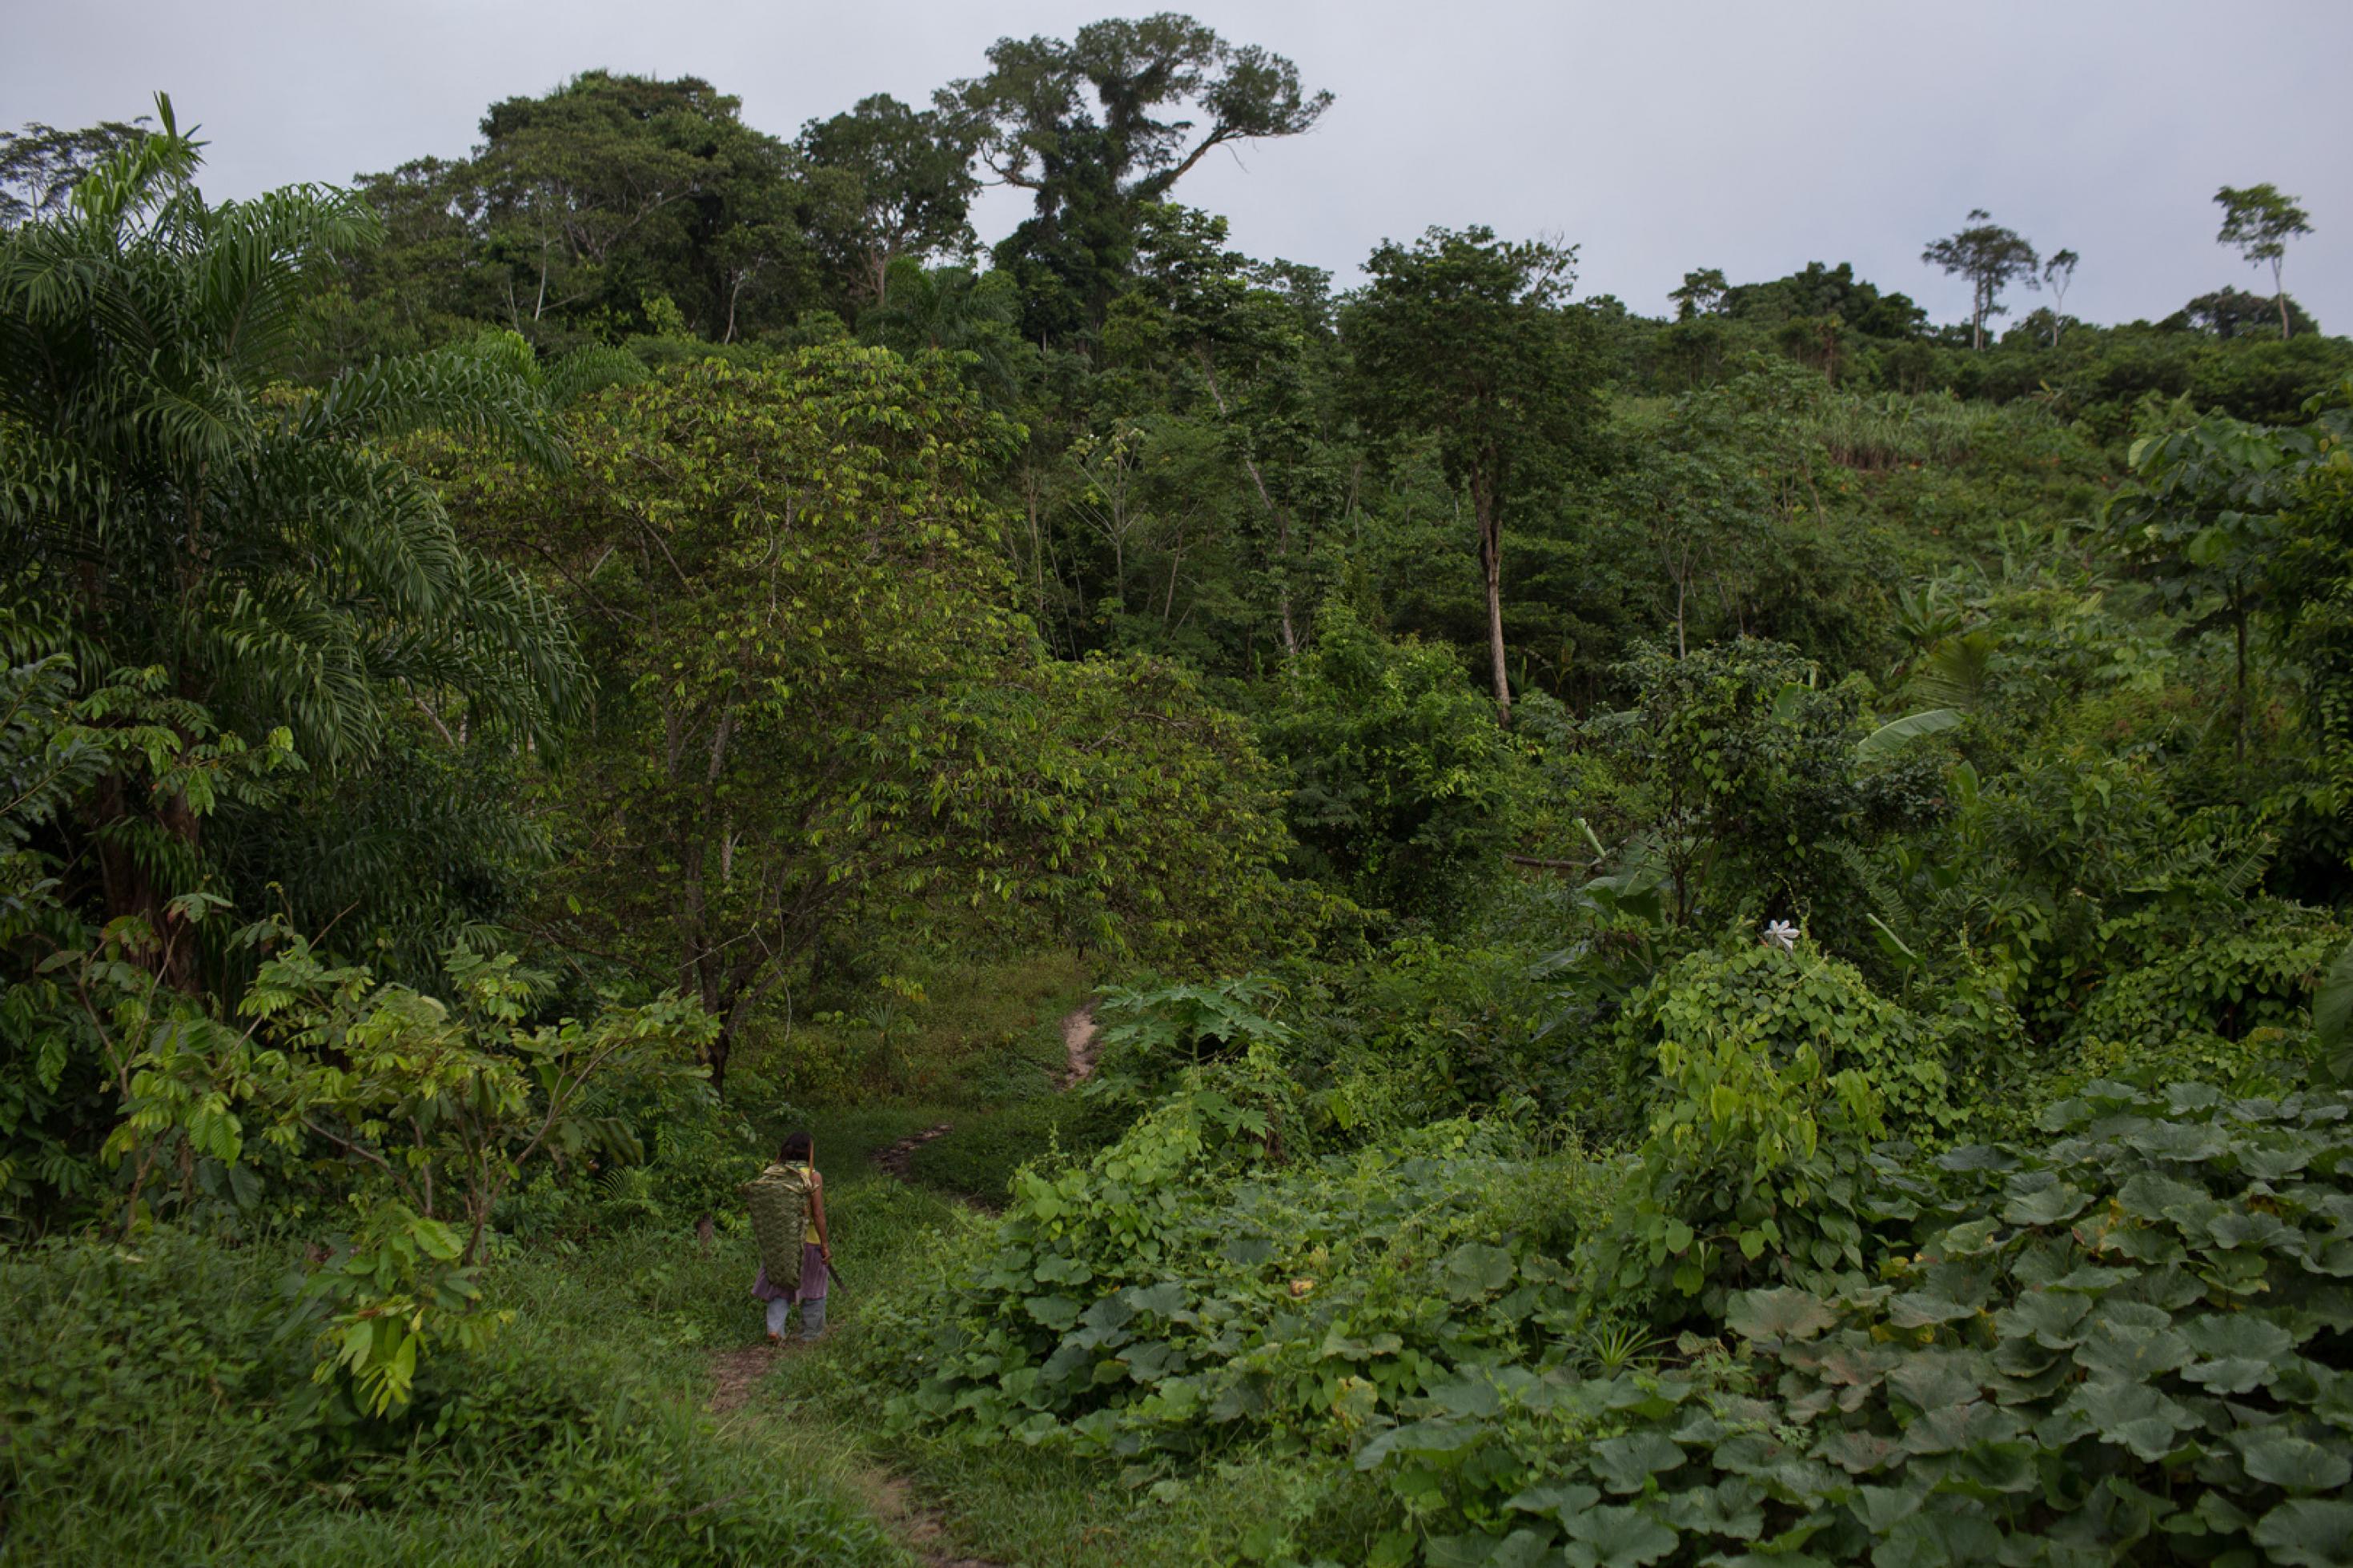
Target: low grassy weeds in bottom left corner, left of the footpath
(161,1412)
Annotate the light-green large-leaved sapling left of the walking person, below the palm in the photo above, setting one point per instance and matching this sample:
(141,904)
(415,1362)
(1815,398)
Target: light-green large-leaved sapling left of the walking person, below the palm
(425,1111)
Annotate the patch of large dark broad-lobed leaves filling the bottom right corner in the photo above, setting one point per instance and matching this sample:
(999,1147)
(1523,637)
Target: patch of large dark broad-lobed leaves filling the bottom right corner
(2121,1343)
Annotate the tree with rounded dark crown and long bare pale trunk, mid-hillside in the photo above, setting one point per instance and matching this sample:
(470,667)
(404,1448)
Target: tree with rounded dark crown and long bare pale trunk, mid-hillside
(1465,337)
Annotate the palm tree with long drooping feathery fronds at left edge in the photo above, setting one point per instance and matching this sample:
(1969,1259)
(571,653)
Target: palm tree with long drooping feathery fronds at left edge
(171,504)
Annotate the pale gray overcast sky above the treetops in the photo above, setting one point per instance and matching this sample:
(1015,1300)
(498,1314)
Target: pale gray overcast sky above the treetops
(1660,138)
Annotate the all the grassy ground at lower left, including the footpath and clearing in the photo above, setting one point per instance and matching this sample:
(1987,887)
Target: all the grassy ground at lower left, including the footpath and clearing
(164,1414)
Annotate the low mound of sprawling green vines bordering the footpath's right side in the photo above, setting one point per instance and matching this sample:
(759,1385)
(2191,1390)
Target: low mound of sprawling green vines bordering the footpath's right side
(1182,1294)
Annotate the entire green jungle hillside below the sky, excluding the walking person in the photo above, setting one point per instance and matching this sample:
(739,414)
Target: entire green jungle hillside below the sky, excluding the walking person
(1714,937)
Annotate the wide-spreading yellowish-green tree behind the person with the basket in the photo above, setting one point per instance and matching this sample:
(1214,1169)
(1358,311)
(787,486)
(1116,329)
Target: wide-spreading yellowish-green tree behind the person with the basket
(815,685)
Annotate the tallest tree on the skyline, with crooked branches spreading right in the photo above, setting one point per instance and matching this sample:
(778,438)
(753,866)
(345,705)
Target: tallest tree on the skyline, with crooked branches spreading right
(1109,121)
